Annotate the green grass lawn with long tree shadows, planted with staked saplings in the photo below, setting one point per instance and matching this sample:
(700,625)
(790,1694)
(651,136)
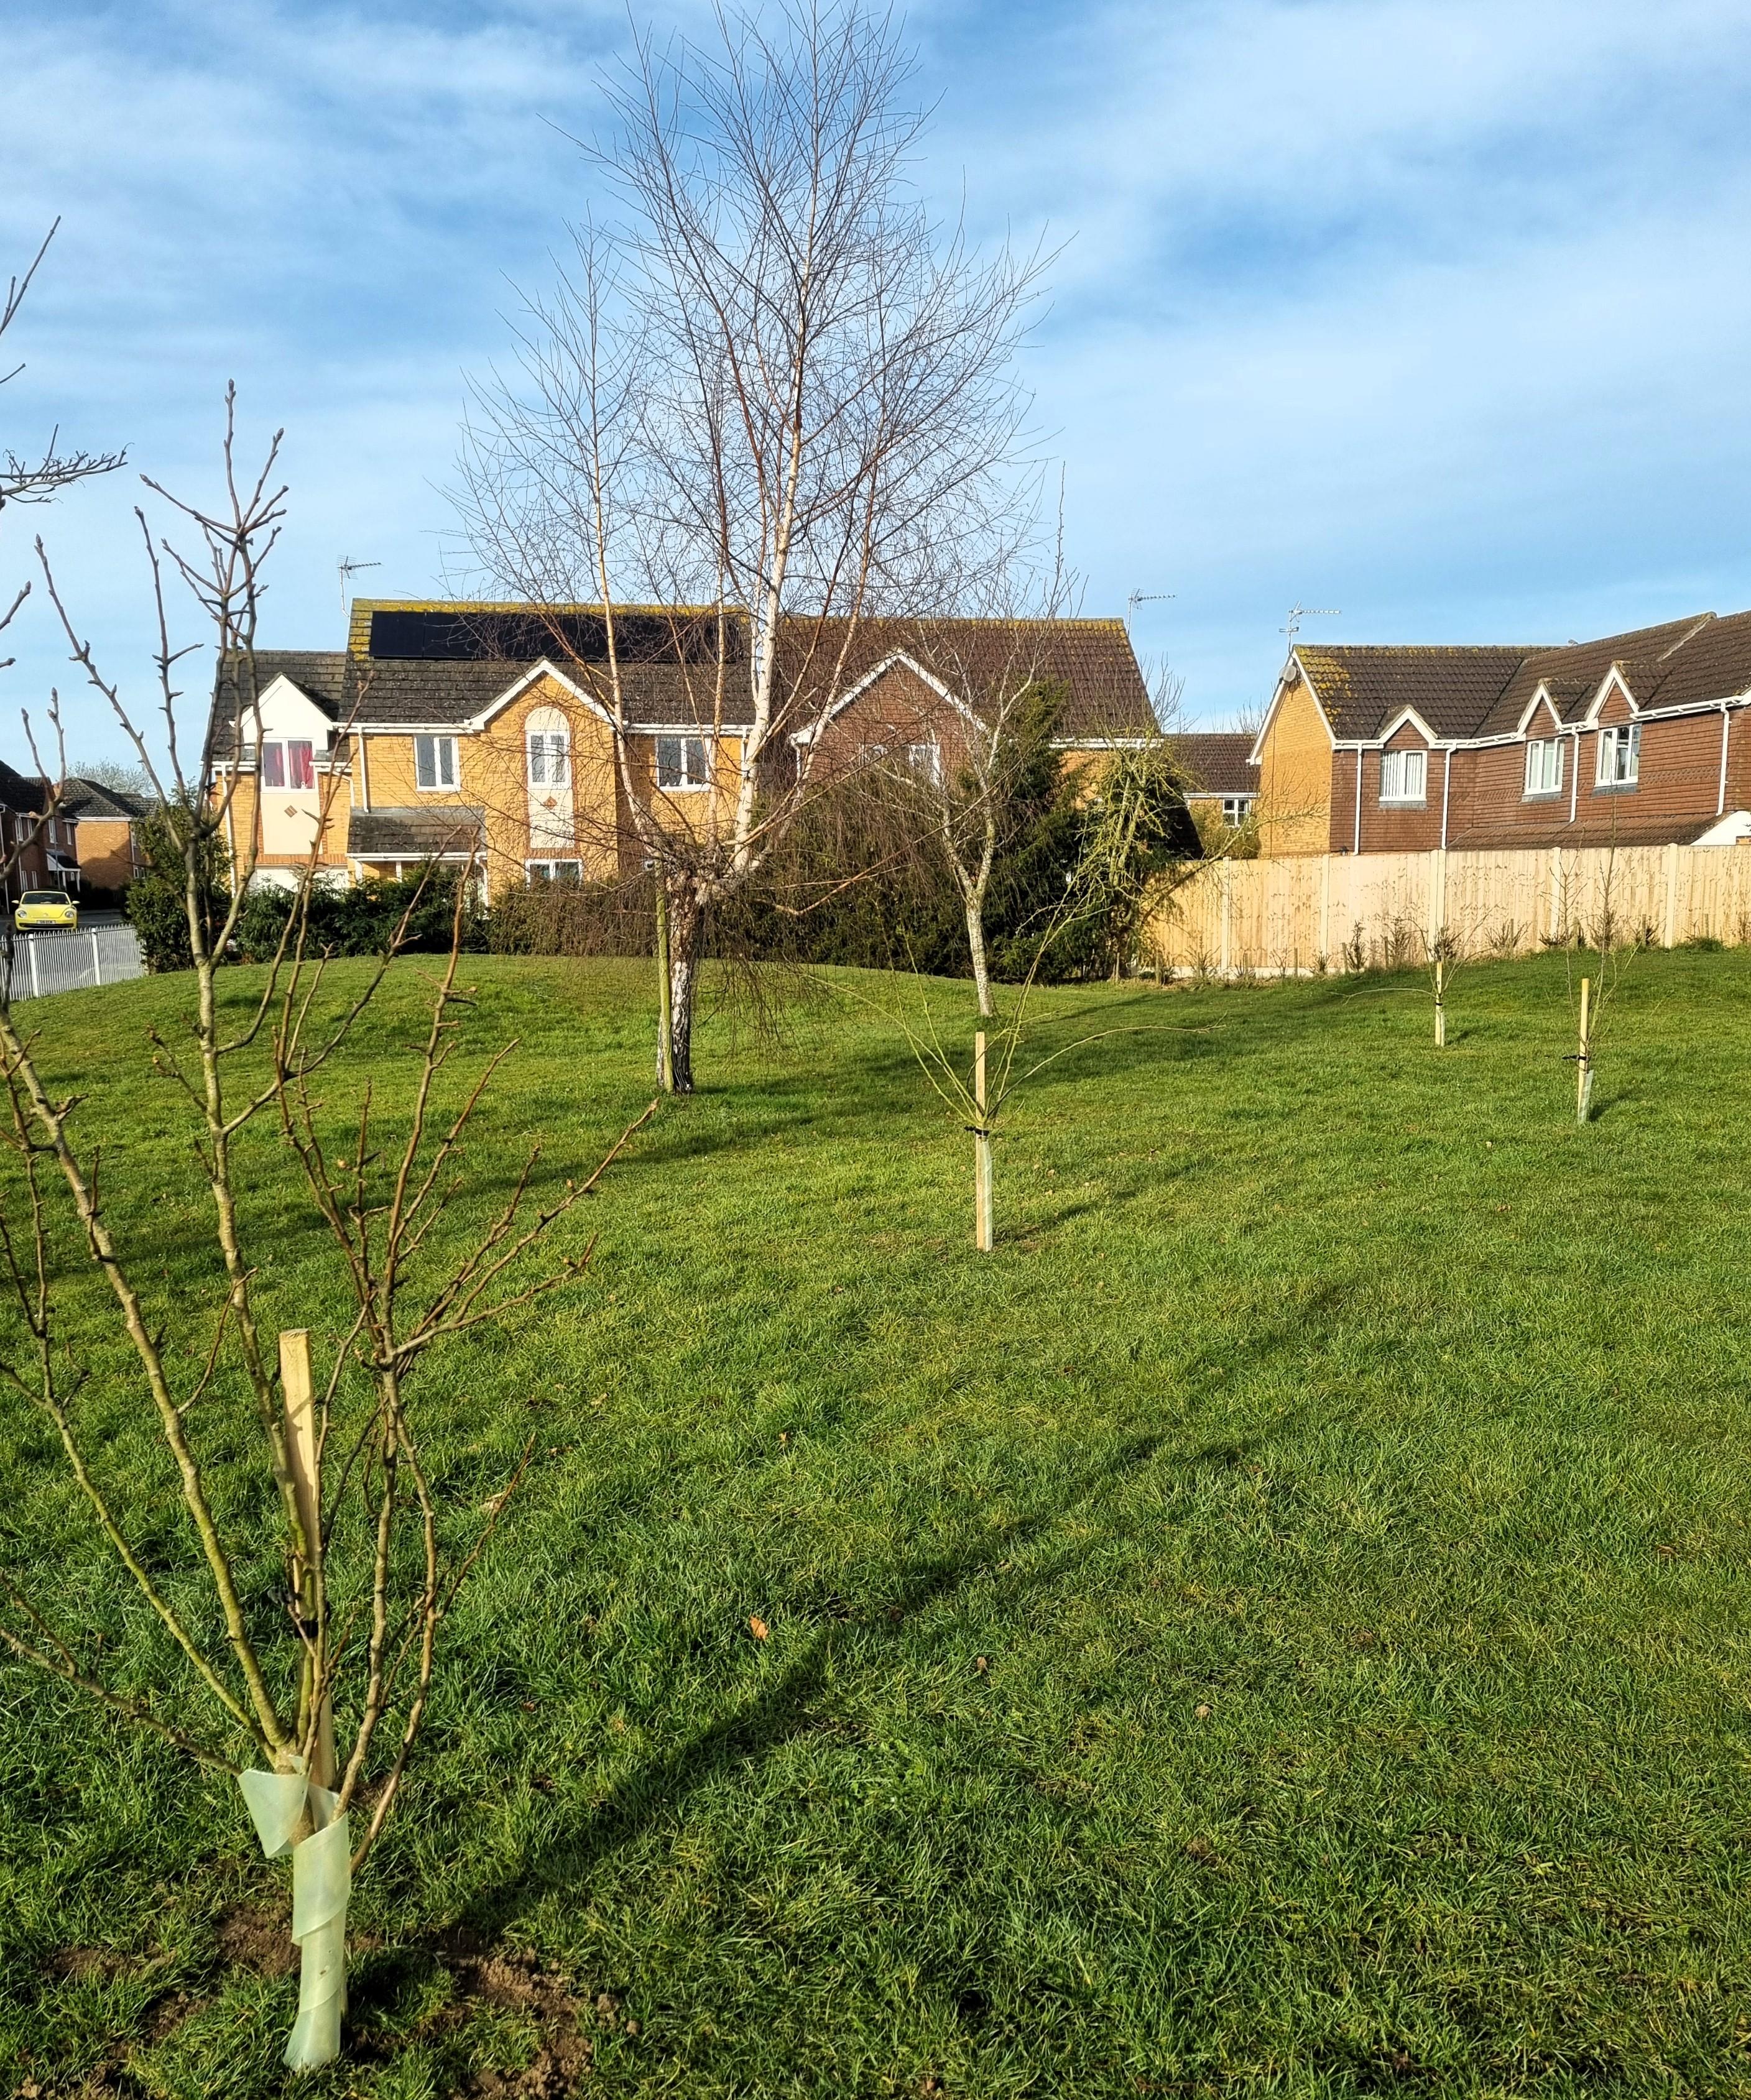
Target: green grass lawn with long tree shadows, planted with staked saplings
(1278,1626)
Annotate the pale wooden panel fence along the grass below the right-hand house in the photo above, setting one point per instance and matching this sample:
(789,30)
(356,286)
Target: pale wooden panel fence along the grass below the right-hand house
(1380,910)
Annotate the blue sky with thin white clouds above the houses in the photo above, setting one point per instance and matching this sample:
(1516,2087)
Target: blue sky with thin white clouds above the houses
(1437,312)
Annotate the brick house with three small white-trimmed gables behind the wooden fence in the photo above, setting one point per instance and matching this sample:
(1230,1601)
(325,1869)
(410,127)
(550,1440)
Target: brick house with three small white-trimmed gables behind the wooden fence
(1632,740)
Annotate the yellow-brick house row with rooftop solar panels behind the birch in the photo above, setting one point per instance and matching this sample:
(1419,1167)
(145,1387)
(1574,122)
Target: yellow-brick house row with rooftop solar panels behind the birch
(452,730)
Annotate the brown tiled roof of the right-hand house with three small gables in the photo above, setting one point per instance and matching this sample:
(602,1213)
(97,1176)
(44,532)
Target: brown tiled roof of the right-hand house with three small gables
(1485,692)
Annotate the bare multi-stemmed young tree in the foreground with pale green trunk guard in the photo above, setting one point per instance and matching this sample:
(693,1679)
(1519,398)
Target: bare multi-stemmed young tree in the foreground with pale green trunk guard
(362,1509)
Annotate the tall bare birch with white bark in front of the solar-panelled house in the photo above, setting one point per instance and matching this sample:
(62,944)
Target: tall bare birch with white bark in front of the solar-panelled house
(776,400)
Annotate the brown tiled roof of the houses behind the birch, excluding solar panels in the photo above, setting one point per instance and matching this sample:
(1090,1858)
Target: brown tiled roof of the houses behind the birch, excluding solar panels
(1093,658)
